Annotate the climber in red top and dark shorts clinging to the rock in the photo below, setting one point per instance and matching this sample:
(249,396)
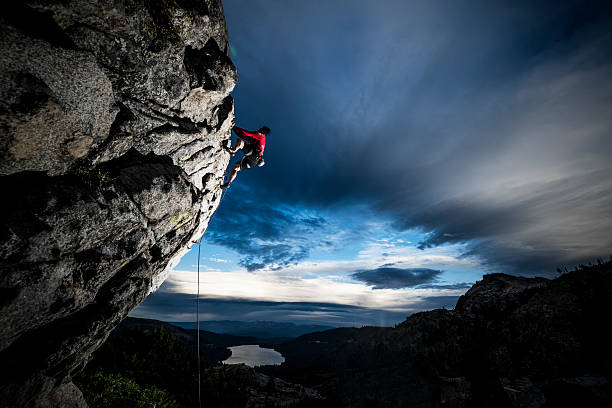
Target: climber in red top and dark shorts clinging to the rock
(252,145)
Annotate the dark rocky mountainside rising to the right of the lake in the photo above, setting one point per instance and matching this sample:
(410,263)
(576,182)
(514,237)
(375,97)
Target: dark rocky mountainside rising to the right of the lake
(509,342)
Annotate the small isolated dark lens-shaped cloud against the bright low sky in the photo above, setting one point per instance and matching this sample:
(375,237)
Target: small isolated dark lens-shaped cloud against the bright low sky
(396,278)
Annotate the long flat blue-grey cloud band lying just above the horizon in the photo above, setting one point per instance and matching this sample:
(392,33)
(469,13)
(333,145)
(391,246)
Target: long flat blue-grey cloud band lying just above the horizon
(171,306)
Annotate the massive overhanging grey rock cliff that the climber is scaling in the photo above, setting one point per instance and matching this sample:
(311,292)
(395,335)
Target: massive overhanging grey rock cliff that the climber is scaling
(112,120)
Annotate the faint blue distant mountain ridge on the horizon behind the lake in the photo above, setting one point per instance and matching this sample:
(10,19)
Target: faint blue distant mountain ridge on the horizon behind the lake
(259,329)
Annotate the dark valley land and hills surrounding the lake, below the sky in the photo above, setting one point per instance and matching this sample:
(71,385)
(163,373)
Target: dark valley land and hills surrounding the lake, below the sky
(510,342)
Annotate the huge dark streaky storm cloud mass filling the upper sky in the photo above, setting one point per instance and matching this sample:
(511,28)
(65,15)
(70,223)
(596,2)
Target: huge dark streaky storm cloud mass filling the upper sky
(479,122)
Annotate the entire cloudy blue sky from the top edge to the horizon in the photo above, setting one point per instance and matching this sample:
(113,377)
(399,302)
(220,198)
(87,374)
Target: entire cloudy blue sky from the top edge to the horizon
(415,147)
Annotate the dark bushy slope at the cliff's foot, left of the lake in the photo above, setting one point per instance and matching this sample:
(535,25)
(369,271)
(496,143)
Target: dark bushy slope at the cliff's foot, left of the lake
(138,369)
